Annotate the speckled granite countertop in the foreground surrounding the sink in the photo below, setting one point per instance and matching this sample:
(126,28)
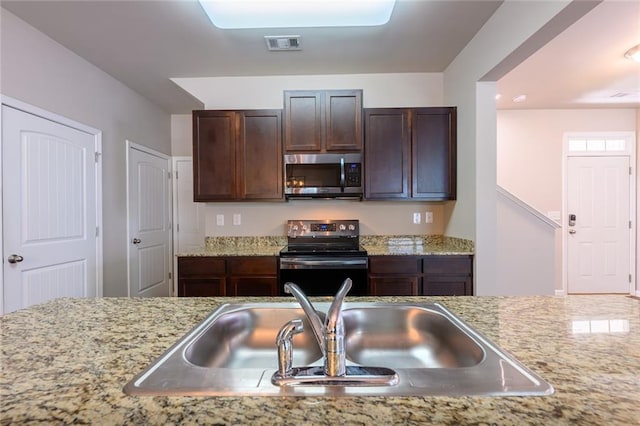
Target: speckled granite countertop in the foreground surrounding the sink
(66,361)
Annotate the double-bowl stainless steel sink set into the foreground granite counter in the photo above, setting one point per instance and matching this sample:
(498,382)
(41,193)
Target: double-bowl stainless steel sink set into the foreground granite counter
(433,352)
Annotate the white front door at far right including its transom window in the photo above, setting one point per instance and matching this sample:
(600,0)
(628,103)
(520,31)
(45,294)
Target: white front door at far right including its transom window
(599,203)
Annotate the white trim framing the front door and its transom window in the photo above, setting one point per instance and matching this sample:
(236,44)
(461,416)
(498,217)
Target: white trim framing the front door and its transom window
(630,152)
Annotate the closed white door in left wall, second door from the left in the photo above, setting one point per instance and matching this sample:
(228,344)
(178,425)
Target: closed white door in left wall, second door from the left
(149,219)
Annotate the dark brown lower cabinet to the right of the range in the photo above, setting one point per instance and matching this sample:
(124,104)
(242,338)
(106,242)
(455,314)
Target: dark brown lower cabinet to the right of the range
(434,275)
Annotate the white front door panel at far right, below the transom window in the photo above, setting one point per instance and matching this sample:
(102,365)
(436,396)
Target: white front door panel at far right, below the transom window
(598,241)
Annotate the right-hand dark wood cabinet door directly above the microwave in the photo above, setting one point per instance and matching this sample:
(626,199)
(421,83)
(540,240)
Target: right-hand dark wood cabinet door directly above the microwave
(343,120)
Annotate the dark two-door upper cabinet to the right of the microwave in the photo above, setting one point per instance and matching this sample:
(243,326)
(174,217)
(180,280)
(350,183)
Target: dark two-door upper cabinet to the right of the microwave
(410,153)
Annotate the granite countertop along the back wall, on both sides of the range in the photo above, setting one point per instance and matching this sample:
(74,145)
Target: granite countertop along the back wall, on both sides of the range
(374,245)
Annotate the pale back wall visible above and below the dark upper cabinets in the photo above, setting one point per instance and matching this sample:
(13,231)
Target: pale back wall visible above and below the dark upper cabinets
(379,90)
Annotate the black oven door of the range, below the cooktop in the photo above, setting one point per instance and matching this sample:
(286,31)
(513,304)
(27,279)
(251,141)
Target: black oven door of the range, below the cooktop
(323,275)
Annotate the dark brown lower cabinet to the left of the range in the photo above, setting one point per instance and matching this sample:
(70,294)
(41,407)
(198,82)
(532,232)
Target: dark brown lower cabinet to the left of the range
(227,276)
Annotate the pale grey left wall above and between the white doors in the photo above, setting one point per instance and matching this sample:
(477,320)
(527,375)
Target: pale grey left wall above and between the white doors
(41,72)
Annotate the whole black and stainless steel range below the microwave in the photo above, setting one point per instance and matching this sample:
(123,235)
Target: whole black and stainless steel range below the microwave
(321,254)
